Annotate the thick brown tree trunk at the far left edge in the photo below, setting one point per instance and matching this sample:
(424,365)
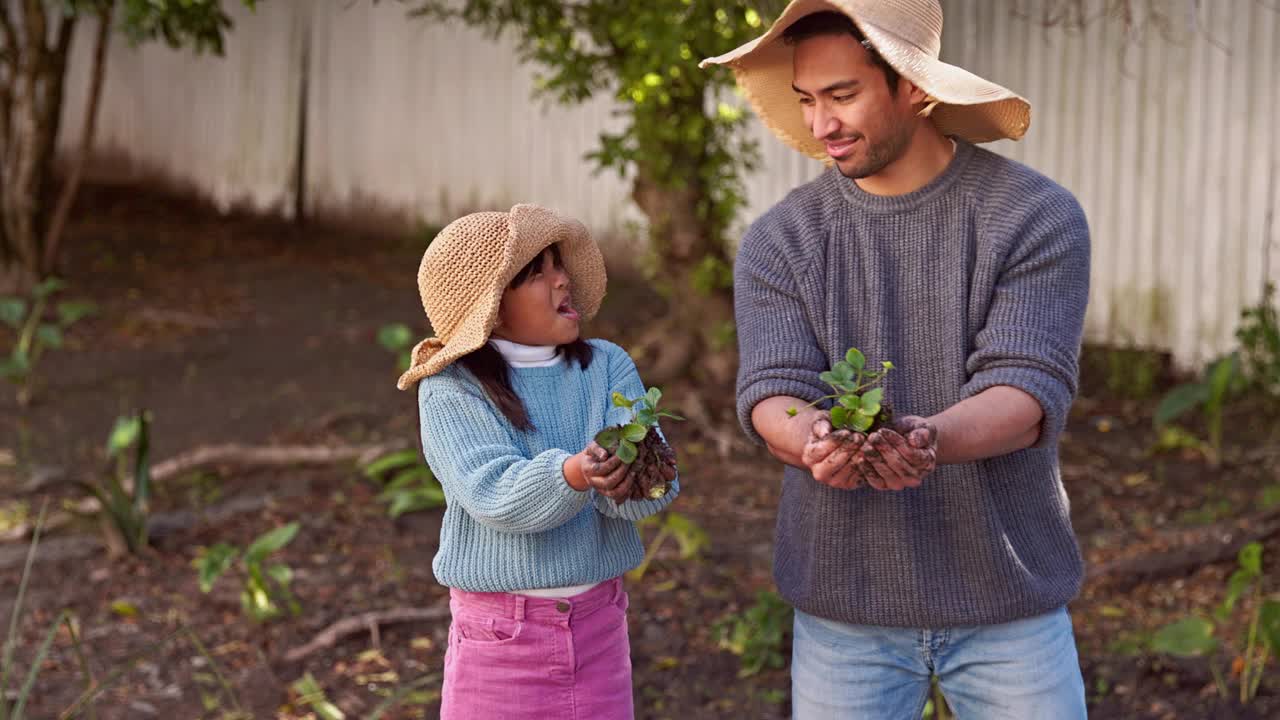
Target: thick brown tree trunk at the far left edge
(35,72)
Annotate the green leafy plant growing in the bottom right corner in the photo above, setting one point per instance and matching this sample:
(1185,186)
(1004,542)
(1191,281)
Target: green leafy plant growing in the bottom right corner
(1196,636)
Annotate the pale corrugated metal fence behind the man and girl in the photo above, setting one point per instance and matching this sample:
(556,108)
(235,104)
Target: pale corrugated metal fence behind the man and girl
(1172,145)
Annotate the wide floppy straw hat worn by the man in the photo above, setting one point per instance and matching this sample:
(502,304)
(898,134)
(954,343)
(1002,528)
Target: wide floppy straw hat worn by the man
(908,35)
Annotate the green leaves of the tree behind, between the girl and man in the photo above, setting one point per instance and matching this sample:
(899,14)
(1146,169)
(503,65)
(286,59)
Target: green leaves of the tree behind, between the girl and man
(679,133)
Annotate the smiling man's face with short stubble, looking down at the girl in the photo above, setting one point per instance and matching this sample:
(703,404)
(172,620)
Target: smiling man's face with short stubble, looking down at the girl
(848,104)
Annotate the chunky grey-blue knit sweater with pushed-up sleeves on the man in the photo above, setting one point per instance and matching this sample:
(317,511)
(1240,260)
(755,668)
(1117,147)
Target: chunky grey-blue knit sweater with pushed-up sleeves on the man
(977,280)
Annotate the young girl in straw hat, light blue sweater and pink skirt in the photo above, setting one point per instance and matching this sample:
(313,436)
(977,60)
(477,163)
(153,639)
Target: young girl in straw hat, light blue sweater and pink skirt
(538,531)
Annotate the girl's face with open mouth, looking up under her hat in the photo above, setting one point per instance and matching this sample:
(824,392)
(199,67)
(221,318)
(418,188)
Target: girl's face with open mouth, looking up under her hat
(537,306)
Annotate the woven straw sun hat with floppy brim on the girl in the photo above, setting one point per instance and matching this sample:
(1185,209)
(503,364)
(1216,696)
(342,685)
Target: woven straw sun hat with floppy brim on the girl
(473,261)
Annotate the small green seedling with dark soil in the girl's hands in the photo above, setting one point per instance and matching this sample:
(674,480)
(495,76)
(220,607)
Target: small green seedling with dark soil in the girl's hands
(638,441)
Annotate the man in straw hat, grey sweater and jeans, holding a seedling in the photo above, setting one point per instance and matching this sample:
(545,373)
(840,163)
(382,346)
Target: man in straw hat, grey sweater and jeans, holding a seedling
(943,546)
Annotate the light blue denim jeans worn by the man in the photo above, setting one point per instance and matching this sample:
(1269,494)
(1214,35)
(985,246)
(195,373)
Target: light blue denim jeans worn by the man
(1022,671)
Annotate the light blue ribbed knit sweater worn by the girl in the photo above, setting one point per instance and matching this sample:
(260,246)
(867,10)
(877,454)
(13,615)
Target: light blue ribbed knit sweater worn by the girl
(511,521)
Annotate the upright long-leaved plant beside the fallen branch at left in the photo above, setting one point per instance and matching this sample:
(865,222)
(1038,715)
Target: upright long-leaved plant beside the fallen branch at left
(125,491)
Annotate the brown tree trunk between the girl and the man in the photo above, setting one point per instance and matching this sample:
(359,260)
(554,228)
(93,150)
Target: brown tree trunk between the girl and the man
(689,343)
